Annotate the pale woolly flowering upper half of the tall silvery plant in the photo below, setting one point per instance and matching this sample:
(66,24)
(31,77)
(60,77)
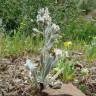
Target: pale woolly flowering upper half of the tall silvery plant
(50,29)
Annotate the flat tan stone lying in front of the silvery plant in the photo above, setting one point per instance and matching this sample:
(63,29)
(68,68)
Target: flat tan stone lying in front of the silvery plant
(66,90)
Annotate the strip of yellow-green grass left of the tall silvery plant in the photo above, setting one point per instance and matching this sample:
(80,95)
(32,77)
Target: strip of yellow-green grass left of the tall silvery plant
(19,43)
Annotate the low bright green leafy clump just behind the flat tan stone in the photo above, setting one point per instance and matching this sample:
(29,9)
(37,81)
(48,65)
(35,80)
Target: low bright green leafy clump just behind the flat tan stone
(67,67)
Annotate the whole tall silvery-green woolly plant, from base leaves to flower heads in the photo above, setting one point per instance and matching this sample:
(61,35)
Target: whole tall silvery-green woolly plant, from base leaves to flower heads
(50,31)
